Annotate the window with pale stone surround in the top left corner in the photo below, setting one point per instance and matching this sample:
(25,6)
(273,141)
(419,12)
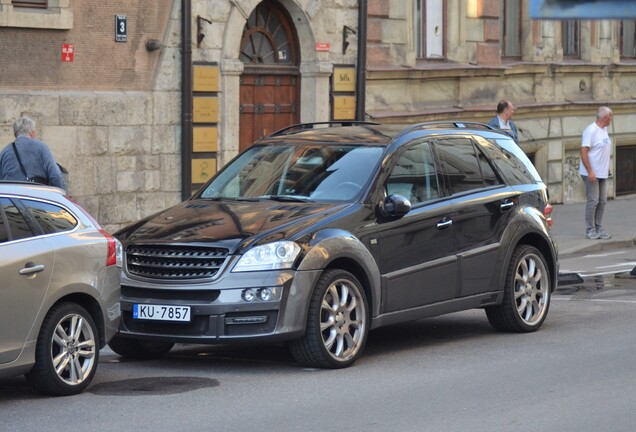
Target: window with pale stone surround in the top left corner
(40,14)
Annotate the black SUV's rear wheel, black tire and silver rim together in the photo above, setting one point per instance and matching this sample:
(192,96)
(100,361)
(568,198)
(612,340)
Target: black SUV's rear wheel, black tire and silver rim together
(527,293)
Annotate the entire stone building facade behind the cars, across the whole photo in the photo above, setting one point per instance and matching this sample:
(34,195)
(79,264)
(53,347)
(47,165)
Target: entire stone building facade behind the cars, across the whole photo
(112,115)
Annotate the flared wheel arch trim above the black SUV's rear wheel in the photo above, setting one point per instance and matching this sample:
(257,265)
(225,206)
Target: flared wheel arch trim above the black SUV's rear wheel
(528,220)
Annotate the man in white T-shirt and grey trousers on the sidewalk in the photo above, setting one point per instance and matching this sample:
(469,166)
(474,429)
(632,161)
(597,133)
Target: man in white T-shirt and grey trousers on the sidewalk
(596,148)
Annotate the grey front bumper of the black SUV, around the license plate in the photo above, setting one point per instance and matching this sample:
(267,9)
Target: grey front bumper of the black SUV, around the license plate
(218,312)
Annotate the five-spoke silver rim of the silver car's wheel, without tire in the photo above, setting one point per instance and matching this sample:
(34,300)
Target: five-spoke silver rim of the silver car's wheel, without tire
(73,348)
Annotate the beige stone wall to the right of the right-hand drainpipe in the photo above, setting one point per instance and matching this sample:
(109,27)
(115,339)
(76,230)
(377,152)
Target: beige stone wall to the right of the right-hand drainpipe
(556,98)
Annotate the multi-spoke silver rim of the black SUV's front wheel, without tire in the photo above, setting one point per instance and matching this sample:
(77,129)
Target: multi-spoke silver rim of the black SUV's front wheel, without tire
(342,320)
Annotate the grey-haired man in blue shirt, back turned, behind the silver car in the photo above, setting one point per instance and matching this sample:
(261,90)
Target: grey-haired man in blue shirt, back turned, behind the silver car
(36,157)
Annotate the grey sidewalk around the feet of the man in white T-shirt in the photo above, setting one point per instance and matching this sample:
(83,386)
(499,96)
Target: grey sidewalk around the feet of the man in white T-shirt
(568,227)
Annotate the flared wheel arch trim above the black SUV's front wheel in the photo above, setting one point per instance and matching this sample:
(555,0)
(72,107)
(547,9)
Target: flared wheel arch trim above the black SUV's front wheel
(330,245)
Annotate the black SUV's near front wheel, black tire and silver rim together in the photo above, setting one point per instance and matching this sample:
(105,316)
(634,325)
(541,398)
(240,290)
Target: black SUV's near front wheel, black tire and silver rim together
(337,323)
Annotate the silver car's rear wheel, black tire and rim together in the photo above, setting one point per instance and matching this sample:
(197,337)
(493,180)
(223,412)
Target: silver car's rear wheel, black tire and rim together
(66,353)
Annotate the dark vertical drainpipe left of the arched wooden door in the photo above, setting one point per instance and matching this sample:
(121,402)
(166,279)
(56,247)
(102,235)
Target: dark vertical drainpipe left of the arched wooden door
(186,99)
